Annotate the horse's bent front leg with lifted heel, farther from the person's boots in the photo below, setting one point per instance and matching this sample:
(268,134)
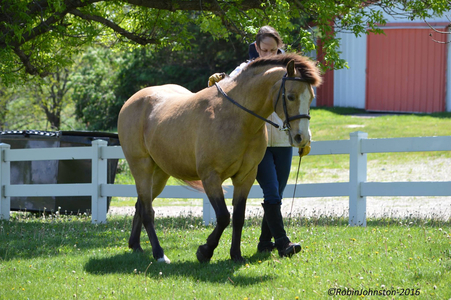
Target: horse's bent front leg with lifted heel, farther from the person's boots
(215,194)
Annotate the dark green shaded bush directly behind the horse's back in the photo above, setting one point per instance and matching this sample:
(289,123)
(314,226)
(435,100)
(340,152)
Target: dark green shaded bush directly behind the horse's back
(149,67)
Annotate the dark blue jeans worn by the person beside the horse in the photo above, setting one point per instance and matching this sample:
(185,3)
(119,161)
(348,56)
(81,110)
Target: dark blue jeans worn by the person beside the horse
(273,173)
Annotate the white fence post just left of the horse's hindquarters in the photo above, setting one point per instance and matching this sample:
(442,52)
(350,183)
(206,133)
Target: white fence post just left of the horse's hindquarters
(99,177)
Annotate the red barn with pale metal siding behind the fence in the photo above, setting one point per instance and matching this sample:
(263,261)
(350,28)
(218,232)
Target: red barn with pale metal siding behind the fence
(403,70)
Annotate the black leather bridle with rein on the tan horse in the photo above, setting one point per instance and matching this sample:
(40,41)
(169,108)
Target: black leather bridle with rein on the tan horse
(286,123)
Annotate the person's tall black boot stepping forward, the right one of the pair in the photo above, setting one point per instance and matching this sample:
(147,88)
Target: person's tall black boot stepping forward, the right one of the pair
(275,222)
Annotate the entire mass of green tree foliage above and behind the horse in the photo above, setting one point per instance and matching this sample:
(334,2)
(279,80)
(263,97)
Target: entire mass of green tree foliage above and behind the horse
(155,43)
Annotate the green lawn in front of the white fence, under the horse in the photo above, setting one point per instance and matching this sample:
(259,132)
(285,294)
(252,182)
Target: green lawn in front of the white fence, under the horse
(67,257)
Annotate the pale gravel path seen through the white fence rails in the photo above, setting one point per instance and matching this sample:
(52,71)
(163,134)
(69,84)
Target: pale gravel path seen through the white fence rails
(396,207)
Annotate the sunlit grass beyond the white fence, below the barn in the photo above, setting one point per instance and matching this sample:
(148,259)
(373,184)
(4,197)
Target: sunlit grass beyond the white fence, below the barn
(336,124)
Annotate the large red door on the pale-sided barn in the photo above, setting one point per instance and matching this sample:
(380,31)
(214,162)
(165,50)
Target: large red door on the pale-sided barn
(406,70)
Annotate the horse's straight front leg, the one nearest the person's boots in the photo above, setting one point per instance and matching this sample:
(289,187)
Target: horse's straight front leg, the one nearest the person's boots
(240,193)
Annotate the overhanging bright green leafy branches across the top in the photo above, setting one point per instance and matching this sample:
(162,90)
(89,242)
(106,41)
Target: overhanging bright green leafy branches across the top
(37,36)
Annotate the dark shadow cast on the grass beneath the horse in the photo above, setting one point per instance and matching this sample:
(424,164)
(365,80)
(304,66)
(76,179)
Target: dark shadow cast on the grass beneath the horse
(217,271)
